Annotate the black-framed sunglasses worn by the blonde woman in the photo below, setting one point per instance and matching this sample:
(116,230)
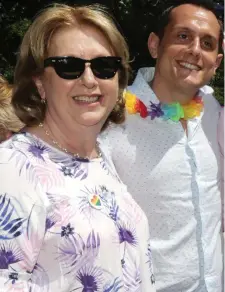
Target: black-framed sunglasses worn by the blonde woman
(73,68)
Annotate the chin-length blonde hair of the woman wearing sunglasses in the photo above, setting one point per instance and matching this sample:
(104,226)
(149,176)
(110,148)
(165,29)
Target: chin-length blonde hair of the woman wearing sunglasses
(34,49)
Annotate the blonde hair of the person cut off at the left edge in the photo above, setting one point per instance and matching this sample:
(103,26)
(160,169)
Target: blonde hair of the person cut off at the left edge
(9,122)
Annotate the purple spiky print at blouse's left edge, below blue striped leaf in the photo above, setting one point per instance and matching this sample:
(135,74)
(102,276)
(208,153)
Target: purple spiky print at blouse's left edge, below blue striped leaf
(9,254)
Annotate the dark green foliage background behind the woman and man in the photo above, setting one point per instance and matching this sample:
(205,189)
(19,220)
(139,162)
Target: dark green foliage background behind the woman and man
(135,19)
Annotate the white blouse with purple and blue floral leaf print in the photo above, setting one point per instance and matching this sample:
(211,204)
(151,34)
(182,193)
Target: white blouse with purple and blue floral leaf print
(68,224)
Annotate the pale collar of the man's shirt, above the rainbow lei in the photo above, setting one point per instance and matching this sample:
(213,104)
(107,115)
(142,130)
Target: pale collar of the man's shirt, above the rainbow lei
(142,89)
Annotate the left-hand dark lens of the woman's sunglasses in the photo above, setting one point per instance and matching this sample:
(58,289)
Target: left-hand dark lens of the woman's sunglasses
(70,68)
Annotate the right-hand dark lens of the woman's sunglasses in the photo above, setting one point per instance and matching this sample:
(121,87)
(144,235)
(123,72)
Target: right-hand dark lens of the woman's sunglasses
(105,67)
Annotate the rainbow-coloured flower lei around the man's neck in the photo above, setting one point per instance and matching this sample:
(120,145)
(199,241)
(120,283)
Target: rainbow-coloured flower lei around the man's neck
(173,111)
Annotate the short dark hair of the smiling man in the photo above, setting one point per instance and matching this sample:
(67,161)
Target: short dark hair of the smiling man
(164,16)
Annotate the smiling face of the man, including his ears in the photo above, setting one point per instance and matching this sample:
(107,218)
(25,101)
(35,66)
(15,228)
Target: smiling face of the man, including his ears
(187,56)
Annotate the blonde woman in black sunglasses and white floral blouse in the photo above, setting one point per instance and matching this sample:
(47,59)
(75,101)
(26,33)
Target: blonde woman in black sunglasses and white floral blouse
(67,221)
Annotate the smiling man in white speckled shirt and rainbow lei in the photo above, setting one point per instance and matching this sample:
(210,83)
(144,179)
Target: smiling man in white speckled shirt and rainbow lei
(168,154)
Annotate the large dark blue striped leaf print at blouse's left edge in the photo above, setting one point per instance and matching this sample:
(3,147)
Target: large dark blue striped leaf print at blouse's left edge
(9,228)
